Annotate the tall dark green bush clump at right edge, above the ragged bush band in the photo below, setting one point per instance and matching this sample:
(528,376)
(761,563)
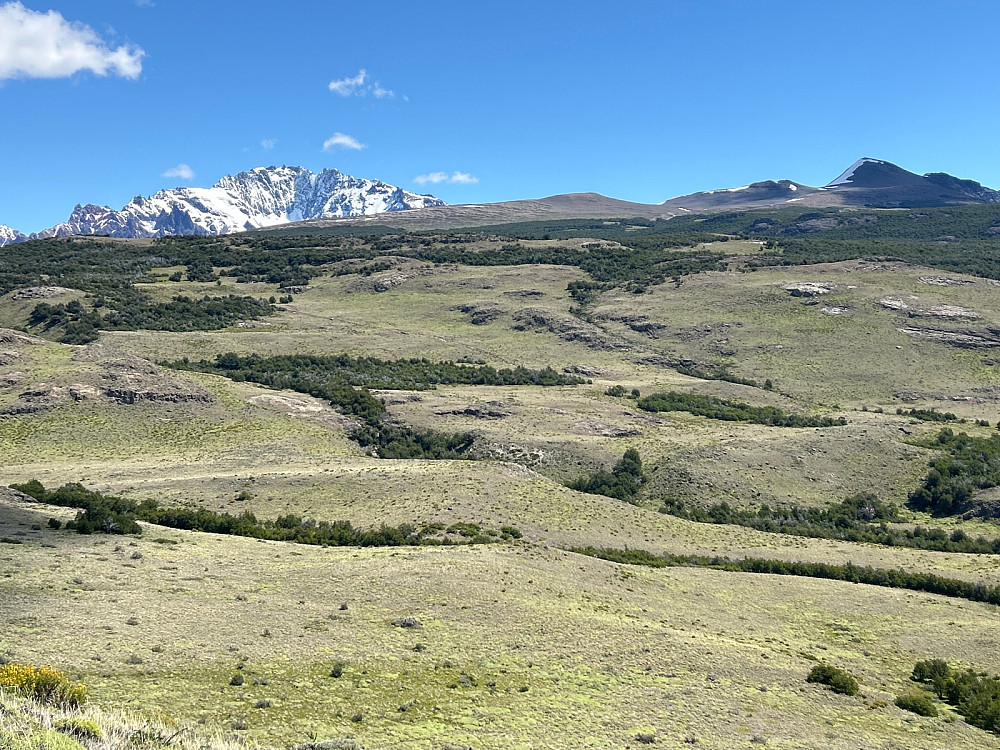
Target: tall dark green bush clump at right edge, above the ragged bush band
(968,464)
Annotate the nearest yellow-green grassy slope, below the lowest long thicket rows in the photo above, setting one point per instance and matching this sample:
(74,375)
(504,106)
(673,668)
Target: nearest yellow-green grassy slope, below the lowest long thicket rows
(720,657)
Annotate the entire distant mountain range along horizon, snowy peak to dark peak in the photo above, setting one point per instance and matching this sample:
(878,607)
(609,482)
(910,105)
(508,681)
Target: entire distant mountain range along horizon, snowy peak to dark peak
(272,197)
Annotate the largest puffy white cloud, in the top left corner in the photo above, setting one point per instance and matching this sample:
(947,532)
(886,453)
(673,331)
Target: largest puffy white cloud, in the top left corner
(46,45)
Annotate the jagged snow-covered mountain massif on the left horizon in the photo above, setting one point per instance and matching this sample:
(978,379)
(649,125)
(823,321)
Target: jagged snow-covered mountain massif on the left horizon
(262,197)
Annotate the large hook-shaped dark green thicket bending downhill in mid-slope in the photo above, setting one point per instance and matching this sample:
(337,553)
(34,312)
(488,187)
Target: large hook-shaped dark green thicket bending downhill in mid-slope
(344,382)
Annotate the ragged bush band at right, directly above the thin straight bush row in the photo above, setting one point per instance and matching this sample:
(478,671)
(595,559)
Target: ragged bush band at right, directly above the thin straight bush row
(860,518)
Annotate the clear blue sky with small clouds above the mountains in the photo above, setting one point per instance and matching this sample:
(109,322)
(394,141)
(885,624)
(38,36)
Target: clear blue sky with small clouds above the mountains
(105,99)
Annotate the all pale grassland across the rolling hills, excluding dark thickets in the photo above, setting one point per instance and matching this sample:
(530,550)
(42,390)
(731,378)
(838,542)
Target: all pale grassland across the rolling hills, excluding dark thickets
(522,616)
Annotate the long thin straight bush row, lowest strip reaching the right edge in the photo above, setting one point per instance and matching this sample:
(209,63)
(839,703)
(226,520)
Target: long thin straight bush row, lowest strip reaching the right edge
(896,579)
